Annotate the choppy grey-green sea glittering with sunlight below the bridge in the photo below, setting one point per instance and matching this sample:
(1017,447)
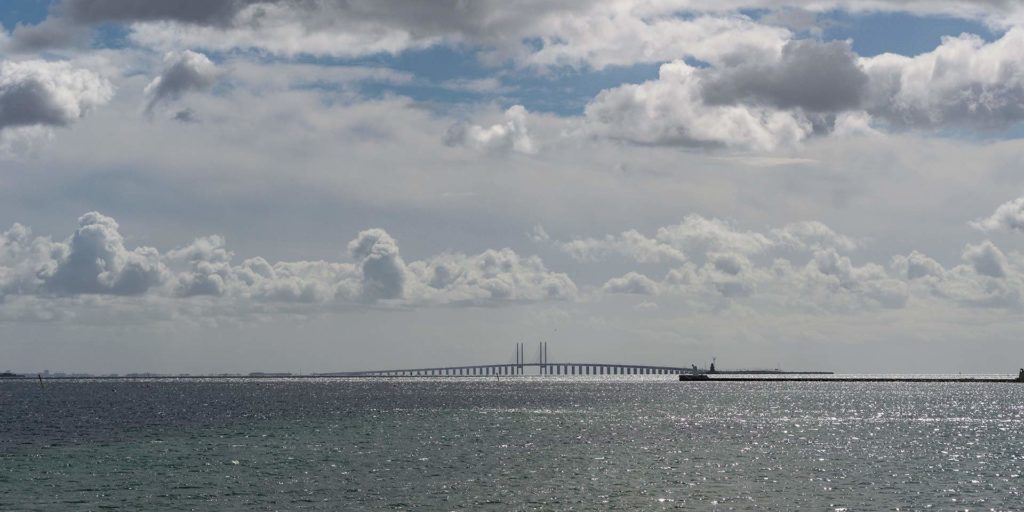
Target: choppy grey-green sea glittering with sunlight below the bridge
(518,444)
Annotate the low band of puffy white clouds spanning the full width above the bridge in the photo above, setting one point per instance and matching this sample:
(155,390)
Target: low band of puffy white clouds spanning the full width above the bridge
(801,266)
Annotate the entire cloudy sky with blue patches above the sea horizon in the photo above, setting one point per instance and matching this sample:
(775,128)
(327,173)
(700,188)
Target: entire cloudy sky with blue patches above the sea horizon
(316,186)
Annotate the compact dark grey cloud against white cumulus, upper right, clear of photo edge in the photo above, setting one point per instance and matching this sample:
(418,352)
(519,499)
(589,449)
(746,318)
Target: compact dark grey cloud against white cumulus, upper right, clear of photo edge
(816,76)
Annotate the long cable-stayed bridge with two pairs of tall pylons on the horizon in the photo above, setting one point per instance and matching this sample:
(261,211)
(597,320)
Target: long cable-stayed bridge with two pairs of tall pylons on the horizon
(521,367)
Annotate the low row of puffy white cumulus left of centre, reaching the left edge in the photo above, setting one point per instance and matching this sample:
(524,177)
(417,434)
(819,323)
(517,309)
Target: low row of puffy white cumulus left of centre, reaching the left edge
(95,262)
